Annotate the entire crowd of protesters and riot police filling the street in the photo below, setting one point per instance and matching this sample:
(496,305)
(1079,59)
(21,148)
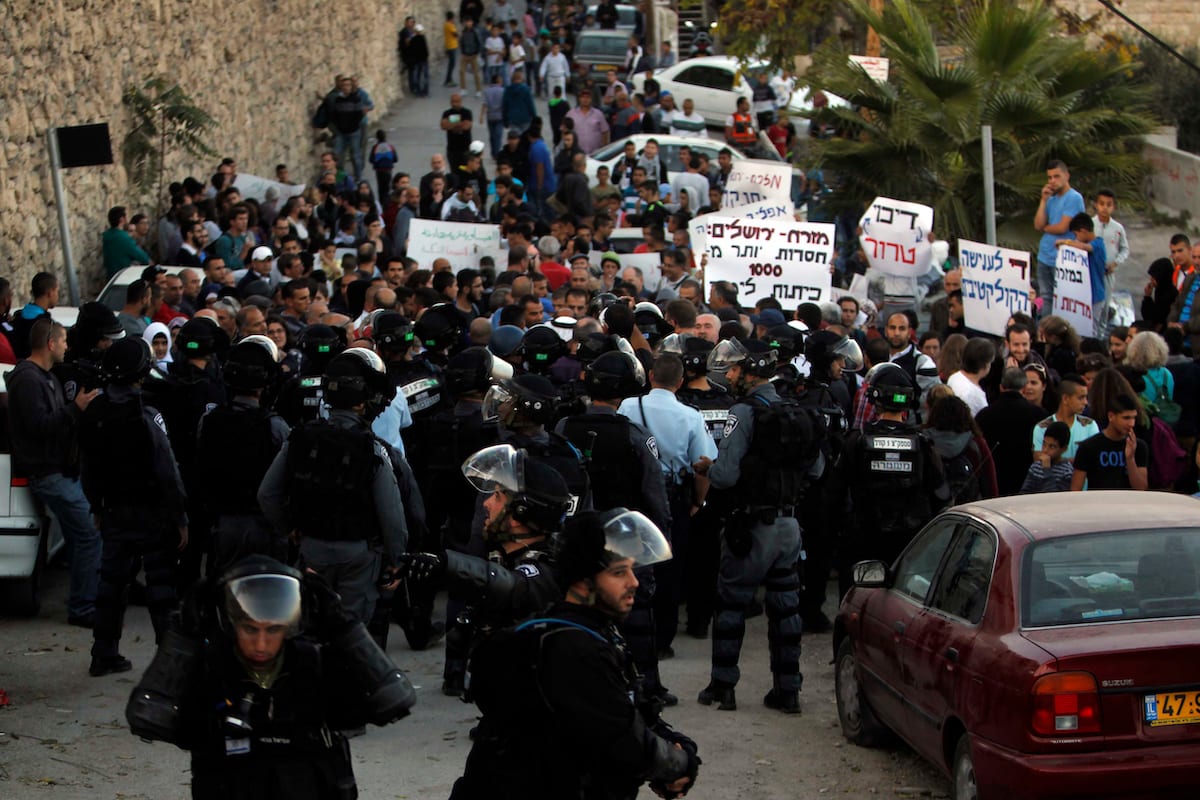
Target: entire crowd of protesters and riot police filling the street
(267,428)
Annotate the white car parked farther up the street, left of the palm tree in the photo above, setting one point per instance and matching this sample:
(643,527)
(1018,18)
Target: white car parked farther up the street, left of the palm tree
(716,82)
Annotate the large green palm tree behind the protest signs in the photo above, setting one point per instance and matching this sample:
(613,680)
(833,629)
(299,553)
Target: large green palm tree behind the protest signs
(917,137)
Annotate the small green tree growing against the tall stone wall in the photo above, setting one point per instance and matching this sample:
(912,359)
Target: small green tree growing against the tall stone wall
(164,117)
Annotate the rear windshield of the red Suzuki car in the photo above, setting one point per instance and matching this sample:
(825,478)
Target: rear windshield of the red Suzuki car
(1112,576)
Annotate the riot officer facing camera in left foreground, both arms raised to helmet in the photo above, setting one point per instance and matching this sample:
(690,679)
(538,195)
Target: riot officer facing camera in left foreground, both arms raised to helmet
(267,671)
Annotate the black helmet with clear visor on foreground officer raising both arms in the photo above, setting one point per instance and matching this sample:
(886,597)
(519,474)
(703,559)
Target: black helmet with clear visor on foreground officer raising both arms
(261,590)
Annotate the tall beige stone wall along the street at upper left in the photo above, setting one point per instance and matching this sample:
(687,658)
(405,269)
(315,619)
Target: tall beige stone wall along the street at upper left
(259,67)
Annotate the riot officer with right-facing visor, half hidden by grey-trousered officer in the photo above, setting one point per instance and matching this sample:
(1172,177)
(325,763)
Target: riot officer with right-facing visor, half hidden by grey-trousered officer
(830,357)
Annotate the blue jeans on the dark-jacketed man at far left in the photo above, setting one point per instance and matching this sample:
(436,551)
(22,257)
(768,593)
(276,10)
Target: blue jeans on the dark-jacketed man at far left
(64,497)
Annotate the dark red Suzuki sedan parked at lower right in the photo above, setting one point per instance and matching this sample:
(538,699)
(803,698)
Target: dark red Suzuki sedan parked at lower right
(1036,647)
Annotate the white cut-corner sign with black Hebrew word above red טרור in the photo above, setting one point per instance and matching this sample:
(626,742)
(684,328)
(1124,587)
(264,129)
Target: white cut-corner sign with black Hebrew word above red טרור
(896,237)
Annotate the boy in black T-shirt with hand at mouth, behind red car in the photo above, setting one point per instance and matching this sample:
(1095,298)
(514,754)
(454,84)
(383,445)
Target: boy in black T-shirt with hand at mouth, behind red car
(1114,459)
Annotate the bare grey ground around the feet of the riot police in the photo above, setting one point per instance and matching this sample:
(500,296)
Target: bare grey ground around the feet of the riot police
(64,737)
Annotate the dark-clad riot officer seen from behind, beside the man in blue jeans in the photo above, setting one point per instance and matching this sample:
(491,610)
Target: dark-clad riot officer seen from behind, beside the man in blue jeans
(137,496)
